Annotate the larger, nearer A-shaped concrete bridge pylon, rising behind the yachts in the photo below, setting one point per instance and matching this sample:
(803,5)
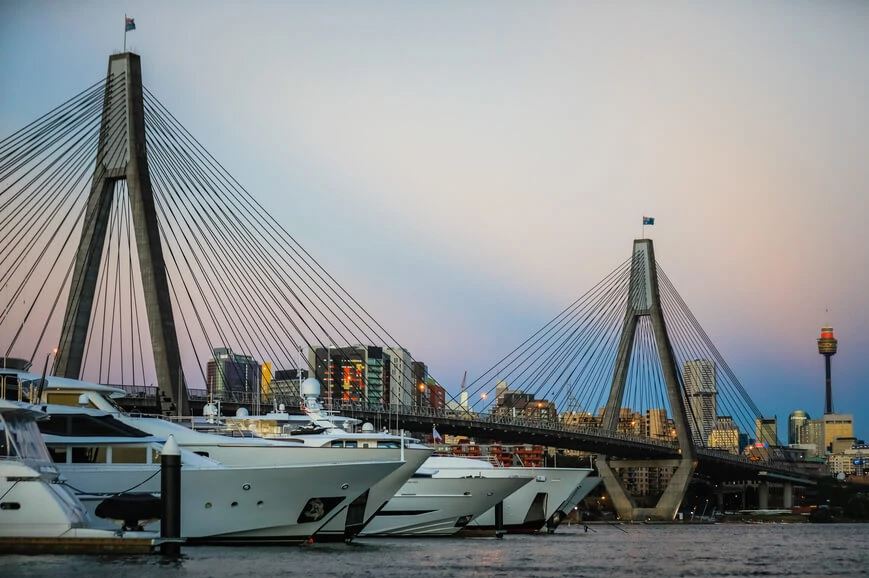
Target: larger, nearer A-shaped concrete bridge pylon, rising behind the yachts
(122,155)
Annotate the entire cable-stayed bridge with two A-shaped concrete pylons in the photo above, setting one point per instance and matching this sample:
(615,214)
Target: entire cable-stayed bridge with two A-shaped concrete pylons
(135,253)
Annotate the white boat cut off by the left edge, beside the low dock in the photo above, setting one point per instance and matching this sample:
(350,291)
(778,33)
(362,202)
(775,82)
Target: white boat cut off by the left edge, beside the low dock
(32,502)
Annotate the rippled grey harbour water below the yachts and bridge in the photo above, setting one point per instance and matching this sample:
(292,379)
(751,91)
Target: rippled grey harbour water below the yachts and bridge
(628,550)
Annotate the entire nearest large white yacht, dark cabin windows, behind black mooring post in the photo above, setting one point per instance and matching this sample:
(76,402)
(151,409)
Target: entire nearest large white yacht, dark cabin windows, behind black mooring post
(100,457)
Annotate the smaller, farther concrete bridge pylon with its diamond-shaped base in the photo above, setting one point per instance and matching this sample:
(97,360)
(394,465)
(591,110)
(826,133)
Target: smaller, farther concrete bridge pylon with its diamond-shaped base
(644,301)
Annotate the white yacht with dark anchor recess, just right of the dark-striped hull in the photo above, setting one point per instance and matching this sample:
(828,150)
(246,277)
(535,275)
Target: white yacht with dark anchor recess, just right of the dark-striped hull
(526,510)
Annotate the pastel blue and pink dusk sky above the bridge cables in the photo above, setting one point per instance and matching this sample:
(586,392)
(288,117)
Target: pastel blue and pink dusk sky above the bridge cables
(467,169)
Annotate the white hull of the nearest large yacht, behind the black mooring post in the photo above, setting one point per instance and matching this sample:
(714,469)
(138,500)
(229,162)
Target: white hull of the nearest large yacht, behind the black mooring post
(239,504)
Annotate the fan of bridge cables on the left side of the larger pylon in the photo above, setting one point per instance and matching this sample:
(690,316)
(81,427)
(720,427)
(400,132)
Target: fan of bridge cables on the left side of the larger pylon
(42,214)
